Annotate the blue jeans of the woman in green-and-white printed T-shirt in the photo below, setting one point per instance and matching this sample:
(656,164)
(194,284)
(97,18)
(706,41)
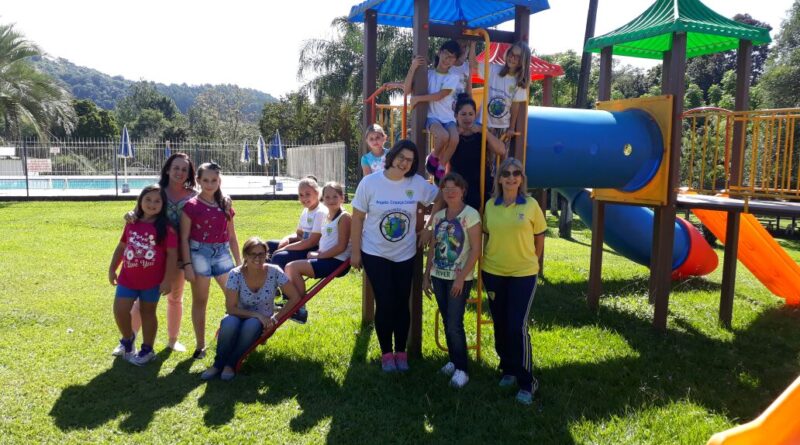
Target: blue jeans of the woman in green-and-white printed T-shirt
(452,309)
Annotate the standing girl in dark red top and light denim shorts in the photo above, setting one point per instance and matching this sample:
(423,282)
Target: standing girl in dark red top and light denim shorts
(208,238)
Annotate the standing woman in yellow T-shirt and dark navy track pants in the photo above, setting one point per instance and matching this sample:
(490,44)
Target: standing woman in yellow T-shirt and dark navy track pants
(515,227)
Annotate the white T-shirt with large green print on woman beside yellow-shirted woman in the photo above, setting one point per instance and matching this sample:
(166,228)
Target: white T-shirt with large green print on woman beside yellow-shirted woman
(451,242)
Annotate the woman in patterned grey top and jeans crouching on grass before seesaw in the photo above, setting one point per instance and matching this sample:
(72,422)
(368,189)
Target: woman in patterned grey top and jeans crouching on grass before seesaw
(250,303)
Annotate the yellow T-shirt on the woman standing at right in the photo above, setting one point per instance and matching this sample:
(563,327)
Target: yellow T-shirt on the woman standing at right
(510,251)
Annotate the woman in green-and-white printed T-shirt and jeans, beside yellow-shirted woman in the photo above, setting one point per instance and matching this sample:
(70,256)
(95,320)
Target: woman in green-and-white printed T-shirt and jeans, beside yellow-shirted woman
(451,269)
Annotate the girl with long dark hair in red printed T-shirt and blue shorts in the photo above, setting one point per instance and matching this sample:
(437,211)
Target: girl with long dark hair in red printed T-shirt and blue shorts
(147,251)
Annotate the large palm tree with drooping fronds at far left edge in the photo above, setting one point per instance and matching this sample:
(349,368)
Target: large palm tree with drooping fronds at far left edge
(28,97)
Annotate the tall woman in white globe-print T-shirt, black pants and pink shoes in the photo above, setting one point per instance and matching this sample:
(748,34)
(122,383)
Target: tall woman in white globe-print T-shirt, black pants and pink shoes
(384,239)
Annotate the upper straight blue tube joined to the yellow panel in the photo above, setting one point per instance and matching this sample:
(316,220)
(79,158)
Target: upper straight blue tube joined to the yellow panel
(592,148)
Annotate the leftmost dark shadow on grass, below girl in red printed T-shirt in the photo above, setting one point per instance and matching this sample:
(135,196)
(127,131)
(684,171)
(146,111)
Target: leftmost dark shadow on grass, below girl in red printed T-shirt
(117,392)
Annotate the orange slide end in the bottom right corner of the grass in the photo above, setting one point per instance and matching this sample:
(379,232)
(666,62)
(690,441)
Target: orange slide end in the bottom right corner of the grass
(779,424)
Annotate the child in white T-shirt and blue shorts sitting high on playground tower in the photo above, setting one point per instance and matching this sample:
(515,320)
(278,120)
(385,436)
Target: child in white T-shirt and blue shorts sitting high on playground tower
(440,122)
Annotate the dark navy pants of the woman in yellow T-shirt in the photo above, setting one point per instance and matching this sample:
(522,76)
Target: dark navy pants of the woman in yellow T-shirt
(510,300)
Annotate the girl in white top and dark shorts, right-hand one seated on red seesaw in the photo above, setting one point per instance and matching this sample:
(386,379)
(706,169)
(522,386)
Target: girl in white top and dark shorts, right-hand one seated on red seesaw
(334,246)
